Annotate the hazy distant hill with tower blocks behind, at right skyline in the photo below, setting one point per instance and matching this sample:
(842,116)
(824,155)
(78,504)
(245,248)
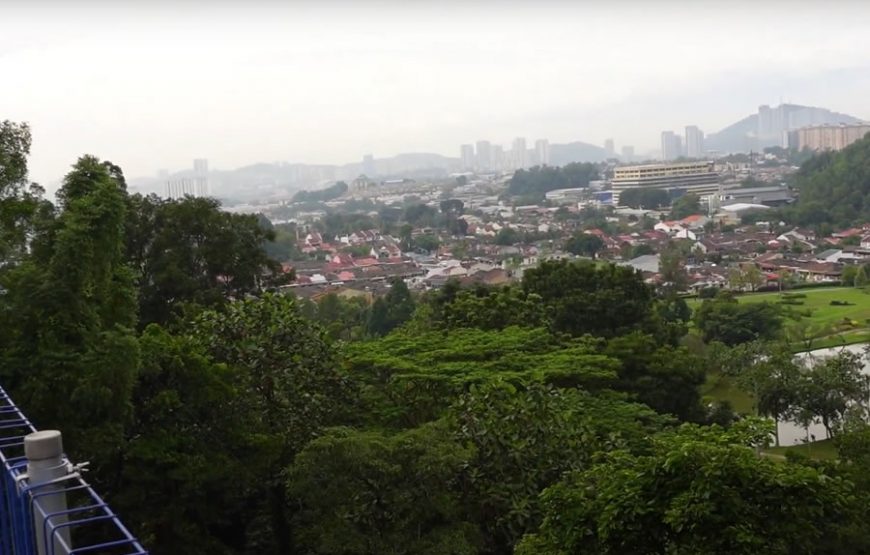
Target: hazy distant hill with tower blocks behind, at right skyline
(766,127)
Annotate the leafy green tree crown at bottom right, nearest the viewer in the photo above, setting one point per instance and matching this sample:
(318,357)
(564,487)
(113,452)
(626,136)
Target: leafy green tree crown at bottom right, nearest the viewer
(697,492)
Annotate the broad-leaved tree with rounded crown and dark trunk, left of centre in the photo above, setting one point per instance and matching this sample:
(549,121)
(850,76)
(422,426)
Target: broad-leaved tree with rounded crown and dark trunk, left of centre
(289,387)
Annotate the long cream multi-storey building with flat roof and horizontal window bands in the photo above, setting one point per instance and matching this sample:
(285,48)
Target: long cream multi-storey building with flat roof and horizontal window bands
(691,177)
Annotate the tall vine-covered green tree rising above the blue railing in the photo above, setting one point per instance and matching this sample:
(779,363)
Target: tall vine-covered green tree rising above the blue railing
(72,358)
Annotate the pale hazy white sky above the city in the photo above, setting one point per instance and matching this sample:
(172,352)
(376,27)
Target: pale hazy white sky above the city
(156,84)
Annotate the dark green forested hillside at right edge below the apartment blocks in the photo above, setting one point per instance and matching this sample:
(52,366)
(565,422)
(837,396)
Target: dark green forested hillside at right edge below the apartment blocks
(834,188)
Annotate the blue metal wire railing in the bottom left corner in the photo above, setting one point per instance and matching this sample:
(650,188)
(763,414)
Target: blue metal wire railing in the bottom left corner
(87,526)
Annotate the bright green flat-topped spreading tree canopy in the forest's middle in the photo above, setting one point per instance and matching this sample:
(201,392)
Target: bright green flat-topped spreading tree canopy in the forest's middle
(410,378)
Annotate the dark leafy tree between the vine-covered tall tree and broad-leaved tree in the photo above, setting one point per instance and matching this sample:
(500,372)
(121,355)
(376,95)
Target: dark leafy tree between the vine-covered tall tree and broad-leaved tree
(184,443)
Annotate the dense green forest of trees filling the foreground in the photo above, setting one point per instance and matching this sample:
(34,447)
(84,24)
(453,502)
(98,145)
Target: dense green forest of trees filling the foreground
(559,415)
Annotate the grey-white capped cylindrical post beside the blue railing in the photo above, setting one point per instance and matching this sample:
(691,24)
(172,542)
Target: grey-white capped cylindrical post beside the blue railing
(44,453)
